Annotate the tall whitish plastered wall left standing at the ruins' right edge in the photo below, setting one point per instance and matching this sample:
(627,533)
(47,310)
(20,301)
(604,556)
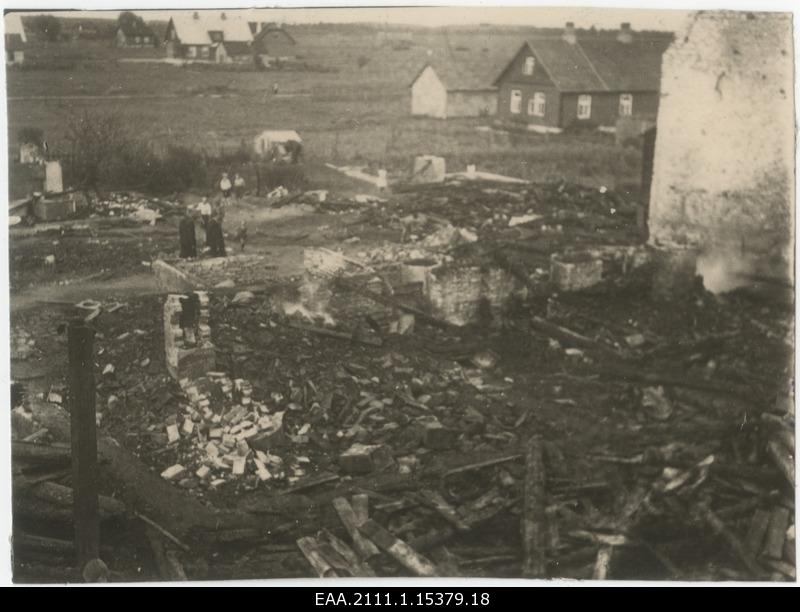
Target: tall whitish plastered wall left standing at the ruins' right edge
(724,159)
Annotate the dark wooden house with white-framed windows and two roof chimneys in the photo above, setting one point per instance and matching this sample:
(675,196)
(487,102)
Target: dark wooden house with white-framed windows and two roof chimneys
(554,83)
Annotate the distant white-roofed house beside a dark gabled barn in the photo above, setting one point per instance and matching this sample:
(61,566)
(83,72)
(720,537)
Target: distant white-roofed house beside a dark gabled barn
(213,37)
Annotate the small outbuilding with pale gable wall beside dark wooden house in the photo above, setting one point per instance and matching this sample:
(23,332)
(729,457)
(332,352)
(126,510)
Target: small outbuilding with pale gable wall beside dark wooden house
(449,89)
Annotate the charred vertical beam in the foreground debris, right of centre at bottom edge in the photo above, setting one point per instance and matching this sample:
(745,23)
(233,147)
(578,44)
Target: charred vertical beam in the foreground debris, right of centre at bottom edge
(534,519)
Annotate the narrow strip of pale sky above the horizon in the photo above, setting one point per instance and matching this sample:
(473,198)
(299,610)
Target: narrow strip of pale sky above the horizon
(447,15)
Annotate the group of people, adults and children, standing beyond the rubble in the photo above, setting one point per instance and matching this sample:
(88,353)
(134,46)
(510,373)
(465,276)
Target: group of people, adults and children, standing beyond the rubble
(209,217)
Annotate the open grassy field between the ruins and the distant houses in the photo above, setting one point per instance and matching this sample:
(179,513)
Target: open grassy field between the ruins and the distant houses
(350,103)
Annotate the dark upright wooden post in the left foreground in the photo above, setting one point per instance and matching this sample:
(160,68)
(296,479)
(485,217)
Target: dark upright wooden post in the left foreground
(83,435)
